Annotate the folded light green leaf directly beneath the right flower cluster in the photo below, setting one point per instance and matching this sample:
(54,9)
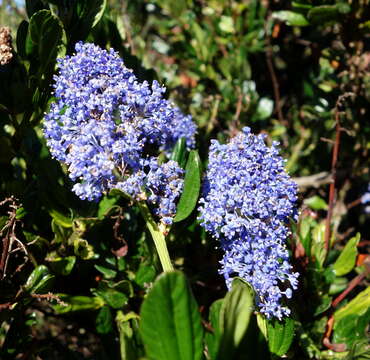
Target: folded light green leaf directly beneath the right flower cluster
(234,317)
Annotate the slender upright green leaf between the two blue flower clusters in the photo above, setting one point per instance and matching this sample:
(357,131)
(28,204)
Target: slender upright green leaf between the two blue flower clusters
(190,194)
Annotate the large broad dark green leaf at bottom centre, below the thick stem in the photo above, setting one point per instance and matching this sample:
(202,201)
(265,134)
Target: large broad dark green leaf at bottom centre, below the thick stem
(171,326)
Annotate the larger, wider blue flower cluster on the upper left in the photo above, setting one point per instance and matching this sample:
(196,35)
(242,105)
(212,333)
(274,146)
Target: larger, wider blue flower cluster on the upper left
(109,128)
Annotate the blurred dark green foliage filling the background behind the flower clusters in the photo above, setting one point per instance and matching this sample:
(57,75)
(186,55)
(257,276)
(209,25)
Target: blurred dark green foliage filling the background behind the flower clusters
(74,274)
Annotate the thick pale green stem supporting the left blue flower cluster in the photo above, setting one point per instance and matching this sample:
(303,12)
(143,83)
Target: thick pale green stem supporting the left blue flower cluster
(158,237)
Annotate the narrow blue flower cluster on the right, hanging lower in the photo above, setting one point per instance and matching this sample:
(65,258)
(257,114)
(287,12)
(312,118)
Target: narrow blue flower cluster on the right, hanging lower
(247,201)
